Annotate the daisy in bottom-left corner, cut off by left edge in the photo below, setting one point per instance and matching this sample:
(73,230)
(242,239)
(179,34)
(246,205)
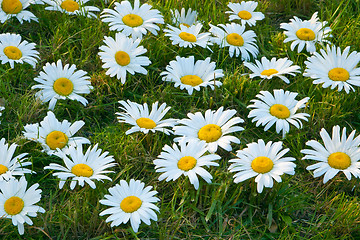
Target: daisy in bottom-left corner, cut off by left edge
(17,202)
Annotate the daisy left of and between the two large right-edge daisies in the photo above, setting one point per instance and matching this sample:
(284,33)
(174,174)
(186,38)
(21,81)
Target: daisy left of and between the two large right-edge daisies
(279,108)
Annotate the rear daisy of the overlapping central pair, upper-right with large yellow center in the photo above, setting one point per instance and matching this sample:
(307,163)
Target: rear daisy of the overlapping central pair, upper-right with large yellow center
(213,128)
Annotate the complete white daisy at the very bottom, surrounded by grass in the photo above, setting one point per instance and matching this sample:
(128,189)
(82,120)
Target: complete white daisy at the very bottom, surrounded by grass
(130,202)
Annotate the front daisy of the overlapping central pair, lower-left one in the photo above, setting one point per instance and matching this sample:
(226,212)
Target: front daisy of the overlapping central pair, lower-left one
(189,161)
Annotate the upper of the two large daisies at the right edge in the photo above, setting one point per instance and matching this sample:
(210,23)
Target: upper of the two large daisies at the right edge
(334,68)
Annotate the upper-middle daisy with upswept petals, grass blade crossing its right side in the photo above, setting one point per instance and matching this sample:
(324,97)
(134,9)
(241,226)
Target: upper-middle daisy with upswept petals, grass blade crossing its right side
(190,75)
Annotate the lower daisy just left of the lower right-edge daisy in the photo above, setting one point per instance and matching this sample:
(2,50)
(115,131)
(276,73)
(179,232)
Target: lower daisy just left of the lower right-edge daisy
(266,162)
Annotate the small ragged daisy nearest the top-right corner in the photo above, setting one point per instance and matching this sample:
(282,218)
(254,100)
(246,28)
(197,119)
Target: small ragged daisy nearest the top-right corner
(307,32)
